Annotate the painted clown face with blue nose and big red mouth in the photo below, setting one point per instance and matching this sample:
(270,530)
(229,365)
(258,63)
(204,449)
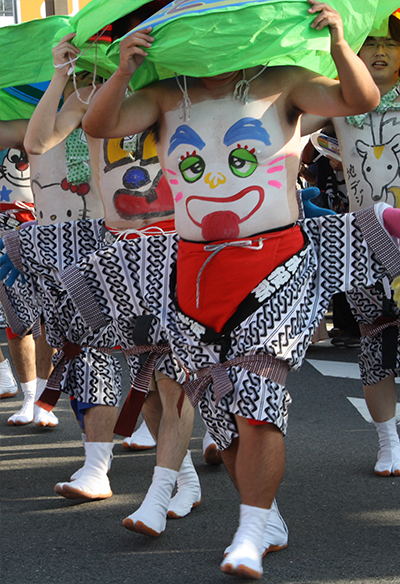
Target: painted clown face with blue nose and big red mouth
(132,178)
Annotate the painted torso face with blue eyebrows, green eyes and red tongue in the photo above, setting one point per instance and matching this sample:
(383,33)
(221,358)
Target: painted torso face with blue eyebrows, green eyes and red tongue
(227,173)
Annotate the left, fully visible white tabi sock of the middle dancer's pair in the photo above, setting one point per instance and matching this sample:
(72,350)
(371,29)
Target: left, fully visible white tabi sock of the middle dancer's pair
(151,517)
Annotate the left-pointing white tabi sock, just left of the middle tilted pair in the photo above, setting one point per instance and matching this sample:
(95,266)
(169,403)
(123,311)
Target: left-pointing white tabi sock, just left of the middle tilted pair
(92,482)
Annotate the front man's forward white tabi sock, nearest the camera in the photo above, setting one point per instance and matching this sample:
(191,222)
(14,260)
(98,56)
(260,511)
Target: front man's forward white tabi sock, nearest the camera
(245,552)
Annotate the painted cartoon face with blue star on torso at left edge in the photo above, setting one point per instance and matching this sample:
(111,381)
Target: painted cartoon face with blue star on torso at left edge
(14,177)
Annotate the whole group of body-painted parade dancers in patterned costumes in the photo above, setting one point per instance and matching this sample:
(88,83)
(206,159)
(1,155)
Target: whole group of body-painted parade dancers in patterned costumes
(212,296)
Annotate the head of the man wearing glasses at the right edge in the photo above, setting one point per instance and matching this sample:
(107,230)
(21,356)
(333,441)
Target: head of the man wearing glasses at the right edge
(381,55)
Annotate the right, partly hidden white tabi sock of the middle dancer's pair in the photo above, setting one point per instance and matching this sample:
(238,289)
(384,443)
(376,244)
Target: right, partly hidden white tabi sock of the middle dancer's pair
(188,490)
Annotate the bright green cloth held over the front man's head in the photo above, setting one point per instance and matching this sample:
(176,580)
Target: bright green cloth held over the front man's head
(215,36)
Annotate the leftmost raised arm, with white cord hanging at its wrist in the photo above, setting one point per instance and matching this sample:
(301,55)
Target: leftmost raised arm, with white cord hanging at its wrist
(47,127)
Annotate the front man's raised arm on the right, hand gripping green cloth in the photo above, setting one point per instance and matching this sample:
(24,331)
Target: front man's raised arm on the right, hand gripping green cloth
(354,93)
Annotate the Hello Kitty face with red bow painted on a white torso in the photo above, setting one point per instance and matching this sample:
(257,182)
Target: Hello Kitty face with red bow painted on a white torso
(56,200)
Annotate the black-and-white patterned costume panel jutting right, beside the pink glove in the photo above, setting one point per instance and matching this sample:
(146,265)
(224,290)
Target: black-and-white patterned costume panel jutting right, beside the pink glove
(352,250)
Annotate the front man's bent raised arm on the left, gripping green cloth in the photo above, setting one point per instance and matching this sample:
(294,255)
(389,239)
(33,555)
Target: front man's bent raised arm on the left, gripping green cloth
(111,114)
